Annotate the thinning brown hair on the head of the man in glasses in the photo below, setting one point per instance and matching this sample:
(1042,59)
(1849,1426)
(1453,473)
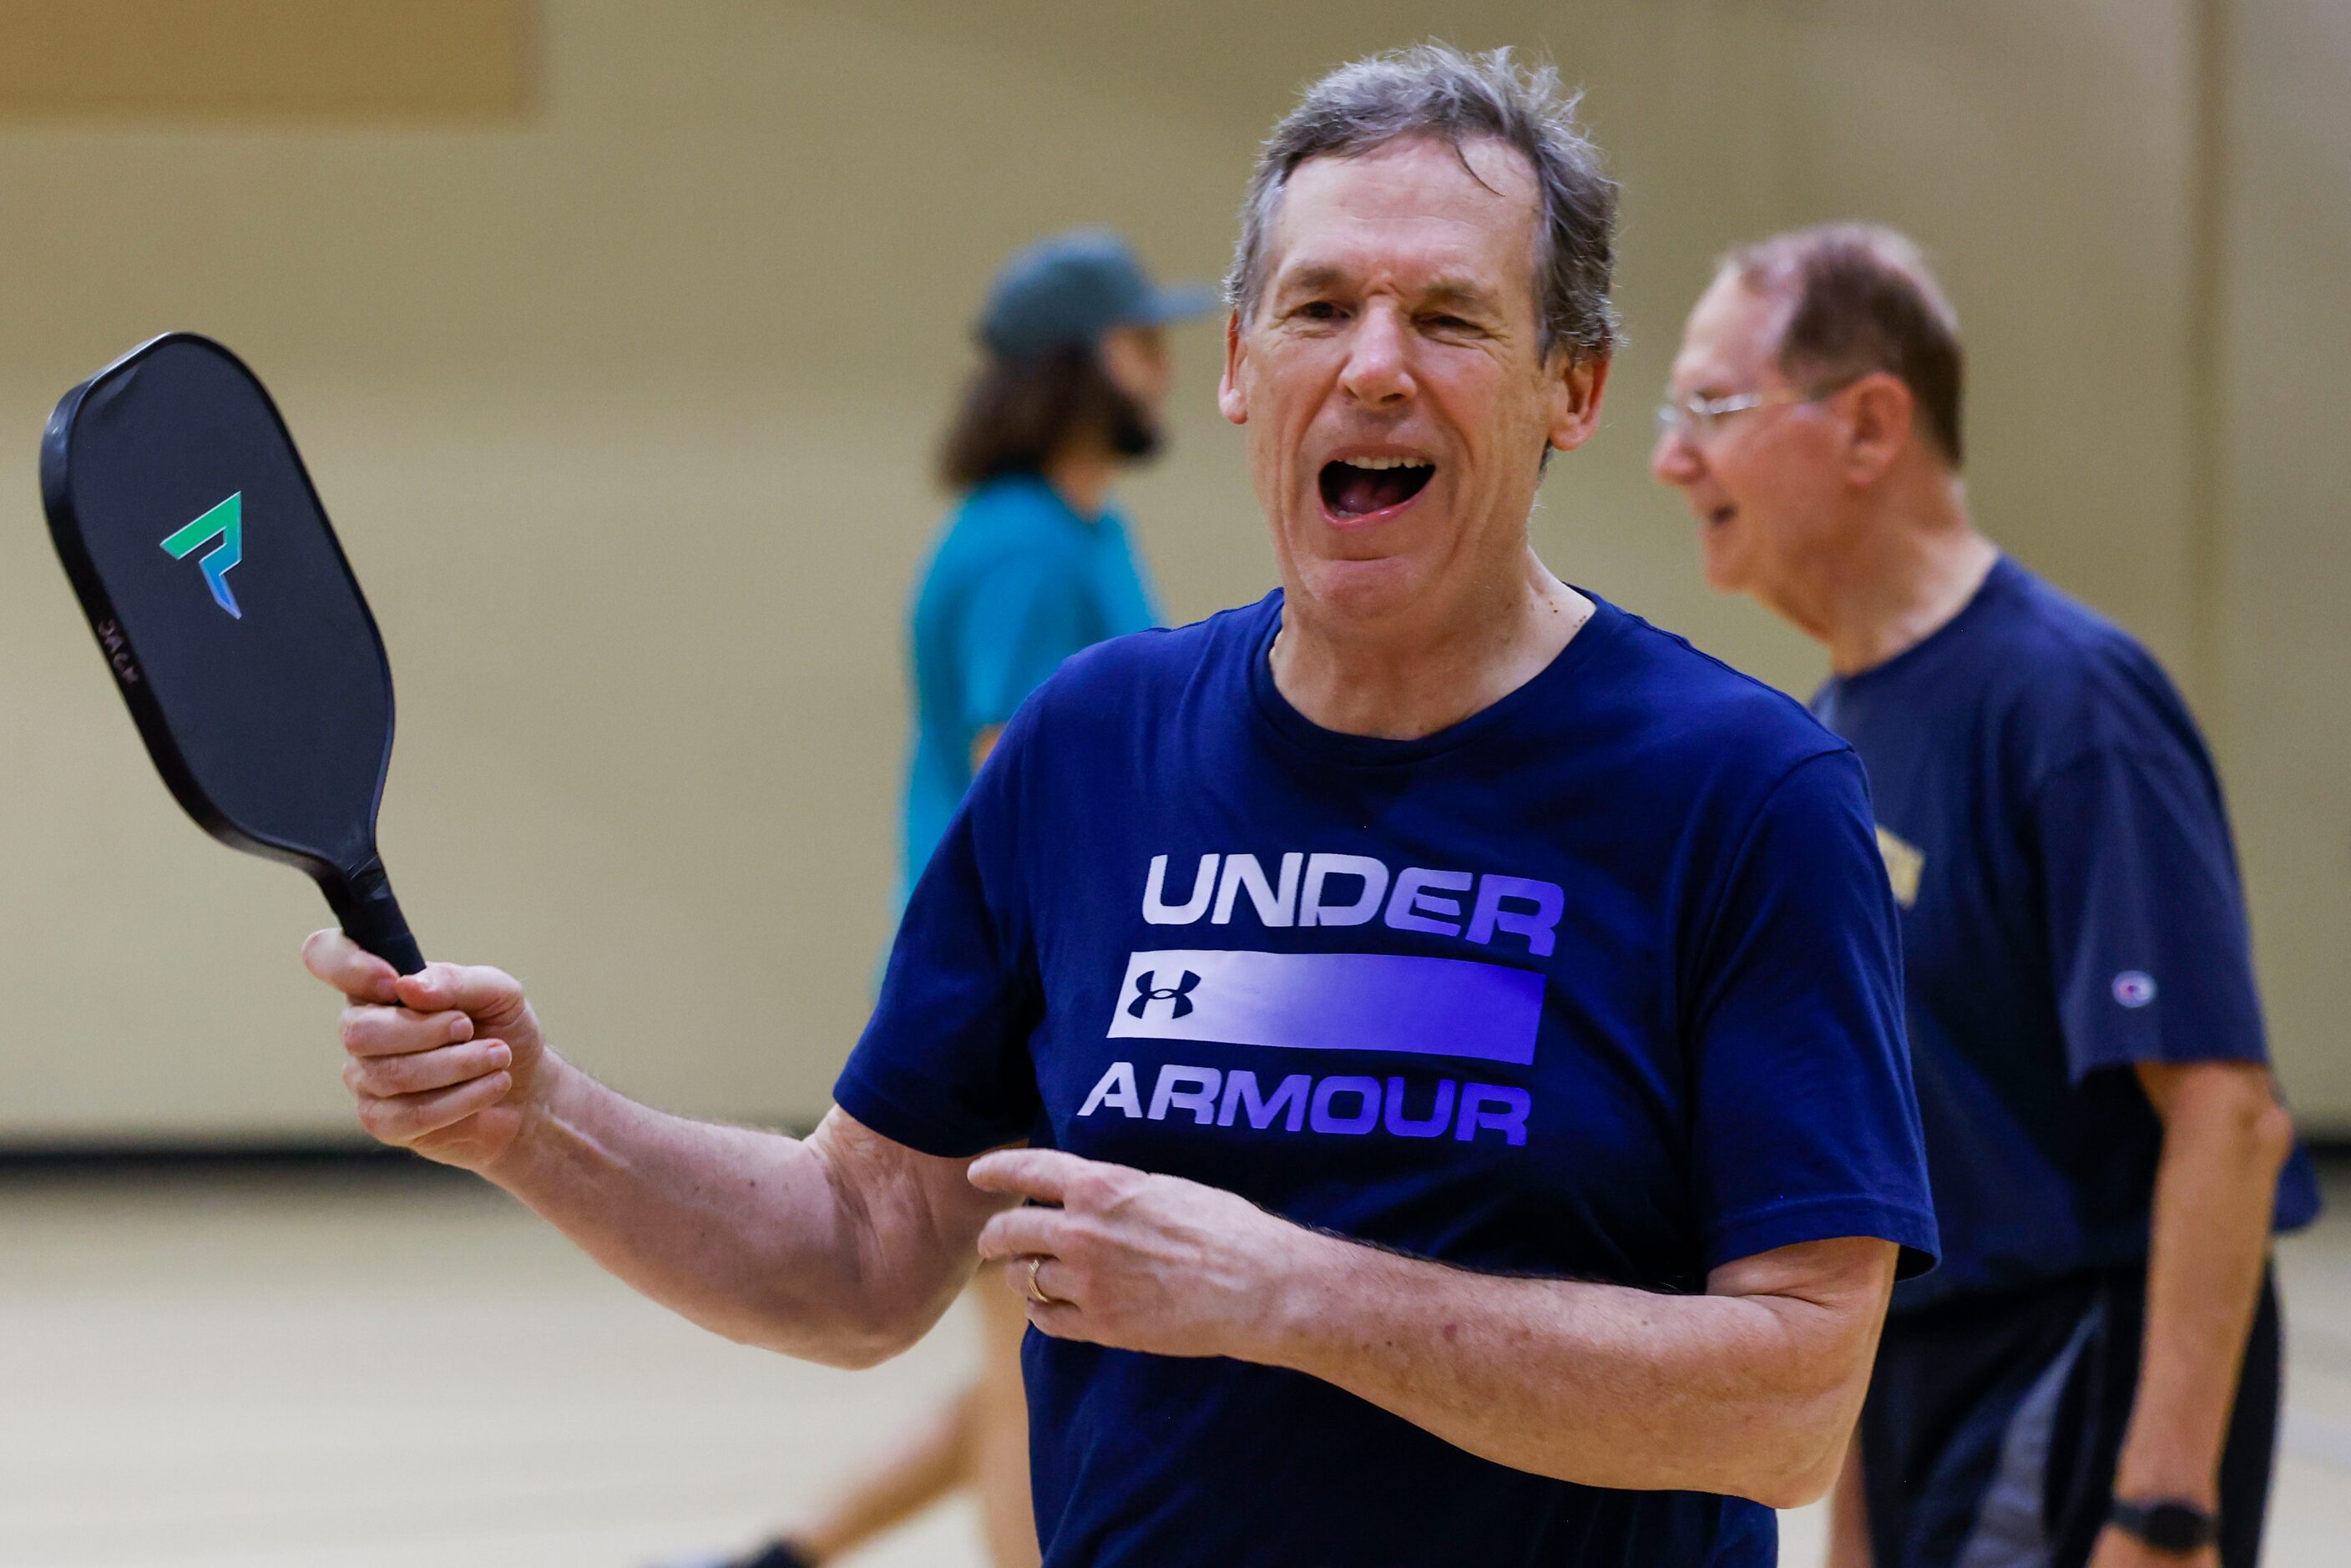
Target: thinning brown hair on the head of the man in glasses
(1861,300)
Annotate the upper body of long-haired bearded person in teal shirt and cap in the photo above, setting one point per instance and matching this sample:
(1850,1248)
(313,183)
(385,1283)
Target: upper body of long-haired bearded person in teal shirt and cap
(1036,563)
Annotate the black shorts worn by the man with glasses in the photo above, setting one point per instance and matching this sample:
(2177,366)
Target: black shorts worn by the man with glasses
(1992,1428)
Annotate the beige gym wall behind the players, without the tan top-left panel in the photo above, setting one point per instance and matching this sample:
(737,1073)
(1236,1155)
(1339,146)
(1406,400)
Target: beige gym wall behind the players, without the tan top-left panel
(622,406)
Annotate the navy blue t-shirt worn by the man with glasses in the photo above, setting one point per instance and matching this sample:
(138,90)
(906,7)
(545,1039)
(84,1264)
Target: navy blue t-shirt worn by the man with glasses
(2070,906)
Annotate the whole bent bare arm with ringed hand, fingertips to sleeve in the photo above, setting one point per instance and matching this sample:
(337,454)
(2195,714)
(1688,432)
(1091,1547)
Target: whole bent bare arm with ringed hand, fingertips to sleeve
(1746,1391)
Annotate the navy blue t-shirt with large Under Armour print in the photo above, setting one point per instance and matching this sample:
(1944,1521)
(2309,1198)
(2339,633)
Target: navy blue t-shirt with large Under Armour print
(1595,984)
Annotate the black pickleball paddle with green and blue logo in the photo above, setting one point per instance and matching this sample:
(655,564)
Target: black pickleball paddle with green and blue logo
(229,617)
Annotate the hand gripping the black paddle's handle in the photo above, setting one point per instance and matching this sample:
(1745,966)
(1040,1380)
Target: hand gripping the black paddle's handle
(446,1061)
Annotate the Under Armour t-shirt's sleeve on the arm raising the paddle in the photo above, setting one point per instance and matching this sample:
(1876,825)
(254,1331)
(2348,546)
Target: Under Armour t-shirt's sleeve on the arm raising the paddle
(944,1064)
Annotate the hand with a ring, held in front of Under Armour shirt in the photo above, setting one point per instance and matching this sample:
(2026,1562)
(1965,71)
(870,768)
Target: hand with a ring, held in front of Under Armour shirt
(1141,1261)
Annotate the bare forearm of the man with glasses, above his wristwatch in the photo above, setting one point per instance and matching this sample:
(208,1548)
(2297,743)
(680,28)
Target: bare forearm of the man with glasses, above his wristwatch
(2209,1249)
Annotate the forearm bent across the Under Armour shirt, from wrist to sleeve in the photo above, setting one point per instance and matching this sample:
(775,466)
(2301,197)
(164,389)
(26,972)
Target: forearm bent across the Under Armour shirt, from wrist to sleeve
(1748,1395)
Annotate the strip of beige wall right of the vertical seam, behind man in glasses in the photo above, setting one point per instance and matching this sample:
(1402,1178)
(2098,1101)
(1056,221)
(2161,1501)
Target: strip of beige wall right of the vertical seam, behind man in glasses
(2284,563)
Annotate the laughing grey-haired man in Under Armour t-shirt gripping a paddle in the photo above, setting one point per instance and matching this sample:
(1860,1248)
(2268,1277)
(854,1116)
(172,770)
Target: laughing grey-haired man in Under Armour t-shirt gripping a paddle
(1456,1026)
